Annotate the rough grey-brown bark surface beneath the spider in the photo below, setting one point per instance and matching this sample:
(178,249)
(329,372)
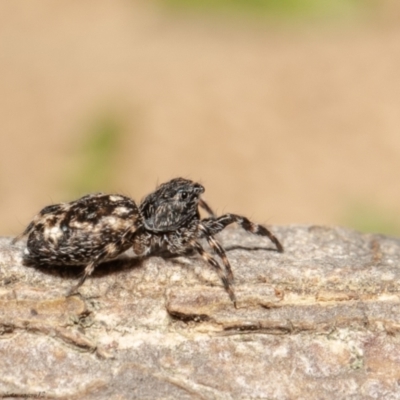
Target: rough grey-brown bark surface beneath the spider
(320,321)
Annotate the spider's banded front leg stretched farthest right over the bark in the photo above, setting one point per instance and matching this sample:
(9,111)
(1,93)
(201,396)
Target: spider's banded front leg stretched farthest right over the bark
(215,225)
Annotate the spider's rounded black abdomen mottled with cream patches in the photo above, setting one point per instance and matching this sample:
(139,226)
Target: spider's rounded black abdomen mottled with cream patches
(76,233)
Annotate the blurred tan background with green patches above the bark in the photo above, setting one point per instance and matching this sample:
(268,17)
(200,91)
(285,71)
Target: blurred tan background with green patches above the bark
(288,111)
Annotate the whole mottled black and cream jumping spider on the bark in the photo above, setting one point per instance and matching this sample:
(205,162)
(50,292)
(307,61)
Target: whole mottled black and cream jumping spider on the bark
(99,227)
